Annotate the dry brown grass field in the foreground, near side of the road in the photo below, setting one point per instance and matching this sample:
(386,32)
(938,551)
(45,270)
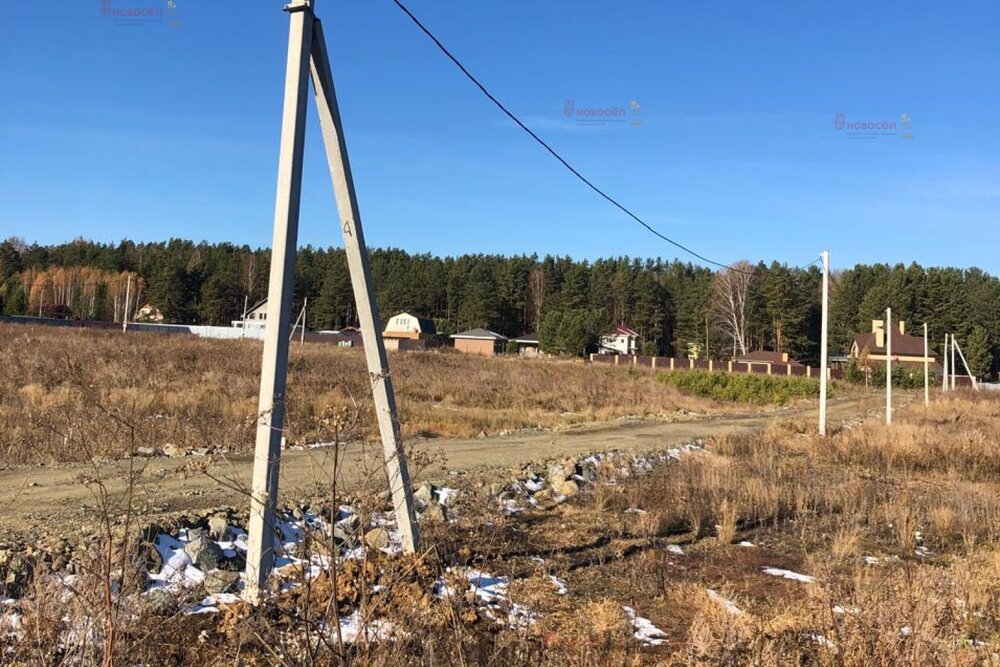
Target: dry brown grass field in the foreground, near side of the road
(896,532)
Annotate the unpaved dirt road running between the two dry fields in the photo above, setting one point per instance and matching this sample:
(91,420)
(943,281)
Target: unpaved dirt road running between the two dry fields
(59,498)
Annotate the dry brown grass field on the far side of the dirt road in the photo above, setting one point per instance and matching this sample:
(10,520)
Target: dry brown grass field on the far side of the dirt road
(70,395)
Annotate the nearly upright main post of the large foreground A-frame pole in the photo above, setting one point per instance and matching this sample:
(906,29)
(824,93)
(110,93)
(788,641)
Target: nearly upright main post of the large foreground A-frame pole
(274,368)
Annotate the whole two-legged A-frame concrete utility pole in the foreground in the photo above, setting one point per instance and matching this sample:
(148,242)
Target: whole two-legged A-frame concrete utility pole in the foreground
(305,43)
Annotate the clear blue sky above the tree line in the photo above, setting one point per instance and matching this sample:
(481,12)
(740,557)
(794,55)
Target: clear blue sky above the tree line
(151,131)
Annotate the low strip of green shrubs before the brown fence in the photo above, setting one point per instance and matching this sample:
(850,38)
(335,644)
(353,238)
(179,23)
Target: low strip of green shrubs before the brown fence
(743,388)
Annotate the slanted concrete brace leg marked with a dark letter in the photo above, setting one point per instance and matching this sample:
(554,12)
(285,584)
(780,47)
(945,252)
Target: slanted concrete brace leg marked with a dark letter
(364,292)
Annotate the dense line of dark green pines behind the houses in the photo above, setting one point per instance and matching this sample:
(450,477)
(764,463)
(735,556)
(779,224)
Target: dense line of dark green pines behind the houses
(678,308)
